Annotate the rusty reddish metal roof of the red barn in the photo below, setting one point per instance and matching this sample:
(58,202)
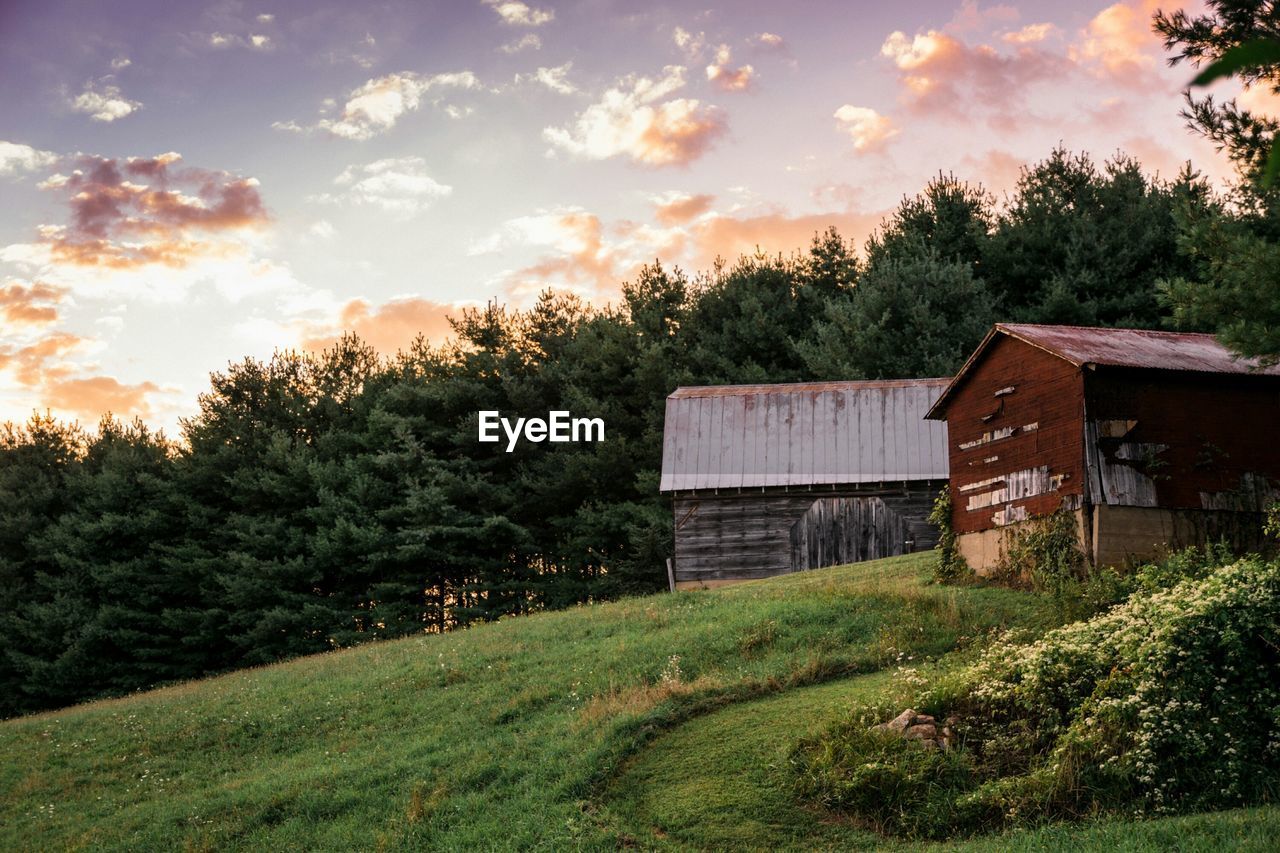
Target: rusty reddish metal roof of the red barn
(1144,349)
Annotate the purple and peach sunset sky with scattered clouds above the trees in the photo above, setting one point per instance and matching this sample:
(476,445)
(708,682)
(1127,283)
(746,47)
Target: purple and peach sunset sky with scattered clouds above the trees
(190,184)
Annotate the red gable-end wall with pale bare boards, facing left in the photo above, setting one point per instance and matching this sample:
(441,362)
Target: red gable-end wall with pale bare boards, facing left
(1016,431)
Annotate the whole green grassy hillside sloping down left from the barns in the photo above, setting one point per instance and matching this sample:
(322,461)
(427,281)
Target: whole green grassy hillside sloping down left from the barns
(559,731)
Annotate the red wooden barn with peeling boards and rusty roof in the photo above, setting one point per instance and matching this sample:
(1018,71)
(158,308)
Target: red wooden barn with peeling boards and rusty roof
(1151,439)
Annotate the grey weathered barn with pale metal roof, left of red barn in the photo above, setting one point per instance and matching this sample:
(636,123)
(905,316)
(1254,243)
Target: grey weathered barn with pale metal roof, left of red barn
(770,480)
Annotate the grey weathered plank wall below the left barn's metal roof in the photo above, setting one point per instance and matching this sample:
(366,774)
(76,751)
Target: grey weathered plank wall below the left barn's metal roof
(753,535)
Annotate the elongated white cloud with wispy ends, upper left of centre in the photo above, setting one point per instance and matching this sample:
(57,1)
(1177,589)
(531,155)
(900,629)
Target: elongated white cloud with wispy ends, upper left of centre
(378,106)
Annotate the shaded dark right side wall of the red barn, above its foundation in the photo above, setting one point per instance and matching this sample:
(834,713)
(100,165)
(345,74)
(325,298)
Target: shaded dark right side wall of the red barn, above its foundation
(1183,441)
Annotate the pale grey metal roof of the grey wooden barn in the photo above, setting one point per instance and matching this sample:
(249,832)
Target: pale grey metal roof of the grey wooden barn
(721,437)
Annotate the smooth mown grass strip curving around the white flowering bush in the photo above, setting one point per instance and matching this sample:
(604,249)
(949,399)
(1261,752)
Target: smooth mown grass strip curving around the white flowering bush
(720,782)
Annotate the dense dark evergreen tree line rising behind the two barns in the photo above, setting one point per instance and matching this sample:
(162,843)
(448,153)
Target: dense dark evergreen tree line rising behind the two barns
(322,500)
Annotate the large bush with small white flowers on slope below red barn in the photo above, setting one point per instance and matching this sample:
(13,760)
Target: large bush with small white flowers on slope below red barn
(1168,703)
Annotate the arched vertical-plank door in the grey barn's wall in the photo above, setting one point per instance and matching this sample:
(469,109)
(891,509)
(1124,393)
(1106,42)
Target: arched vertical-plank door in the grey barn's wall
(836,531)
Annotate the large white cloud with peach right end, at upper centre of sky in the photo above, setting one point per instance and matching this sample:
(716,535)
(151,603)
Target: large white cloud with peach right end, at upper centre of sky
(634,121)
